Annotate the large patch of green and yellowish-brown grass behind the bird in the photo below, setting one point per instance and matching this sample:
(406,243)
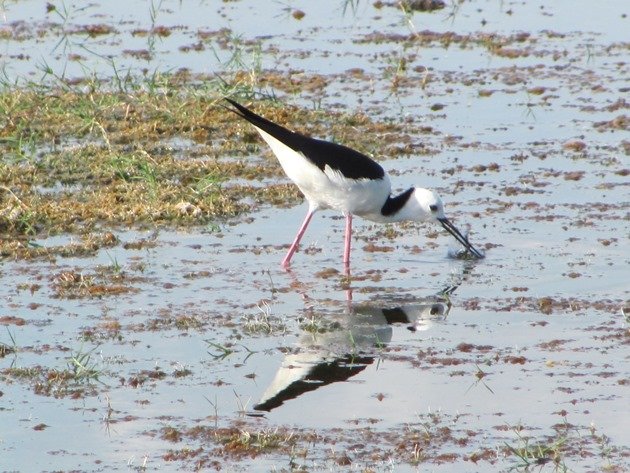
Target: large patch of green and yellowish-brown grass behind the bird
(151,150)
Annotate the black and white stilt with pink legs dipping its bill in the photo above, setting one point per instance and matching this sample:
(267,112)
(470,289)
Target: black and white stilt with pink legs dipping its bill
(333,176)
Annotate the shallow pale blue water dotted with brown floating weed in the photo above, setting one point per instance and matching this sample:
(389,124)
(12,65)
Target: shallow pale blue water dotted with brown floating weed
(534,336)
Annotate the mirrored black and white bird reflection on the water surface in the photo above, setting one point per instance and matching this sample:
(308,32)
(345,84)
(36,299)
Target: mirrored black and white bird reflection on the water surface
(346,346)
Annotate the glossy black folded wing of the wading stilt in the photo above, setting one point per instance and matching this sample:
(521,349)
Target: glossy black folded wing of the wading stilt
(347,161)
